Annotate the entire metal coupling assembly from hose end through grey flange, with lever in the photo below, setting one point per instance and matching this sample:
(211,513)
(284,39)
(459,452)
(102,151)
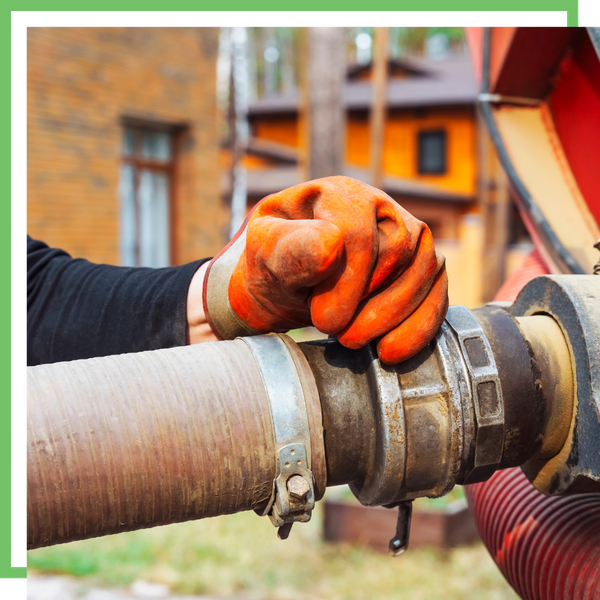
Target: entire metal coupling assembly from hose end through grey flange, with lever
(494,389)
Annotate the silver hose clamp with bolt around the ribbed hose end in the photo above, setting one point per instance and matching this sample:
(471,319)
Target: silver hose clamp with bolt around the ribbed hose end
(293,495)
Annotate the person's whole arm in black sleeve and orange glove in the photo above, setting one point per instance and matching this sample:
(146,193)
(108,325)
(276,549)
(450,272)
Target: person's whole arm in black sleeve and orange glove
(334,253)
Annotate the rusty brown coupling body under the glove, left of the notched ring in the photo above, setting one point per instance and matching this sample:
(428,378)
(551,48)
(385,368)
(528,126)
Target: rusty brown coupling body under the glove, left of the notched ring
(395,433)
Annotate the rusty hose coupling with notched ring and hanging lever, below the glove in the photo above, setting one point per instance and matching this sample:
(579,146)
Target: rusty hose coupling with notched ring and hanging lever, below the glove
(396,433)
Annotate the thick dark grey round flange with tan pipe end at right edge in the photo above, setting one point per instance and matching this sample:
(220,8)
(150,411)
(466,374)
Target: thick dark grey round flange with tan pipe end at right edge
(572,302)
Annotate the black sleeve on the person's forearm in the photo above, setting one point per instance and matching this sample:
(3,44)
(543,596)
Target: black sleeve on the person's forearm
(76,309)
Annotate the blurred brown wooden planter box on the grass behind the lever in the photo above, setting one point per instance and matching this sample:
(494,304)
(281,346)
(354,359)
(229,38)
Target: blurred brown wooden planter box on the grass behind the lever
(375,526)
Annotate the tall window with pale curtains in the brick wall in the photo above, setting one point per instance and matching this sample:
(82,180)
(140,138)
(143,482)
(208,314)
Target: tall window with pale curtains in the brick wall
(145,195)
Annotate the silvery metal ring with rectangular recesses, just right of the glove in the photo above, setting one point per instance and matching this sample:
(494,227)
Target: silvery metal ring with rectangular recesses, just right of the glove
(485,385)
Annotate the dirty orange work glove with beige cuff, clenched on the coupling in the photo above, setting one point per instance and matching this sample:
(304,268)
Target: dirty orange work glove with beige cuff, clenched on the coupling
(337,254)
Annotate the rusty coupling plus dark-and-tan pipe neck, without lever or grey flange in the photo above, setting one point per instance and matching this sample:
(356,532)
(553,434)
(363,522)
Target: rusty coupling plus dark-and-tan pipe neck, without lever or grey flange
(486,394)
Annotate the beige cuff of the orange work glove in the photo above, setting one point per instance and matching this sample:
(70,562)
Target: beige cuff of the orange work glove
(220,315)
